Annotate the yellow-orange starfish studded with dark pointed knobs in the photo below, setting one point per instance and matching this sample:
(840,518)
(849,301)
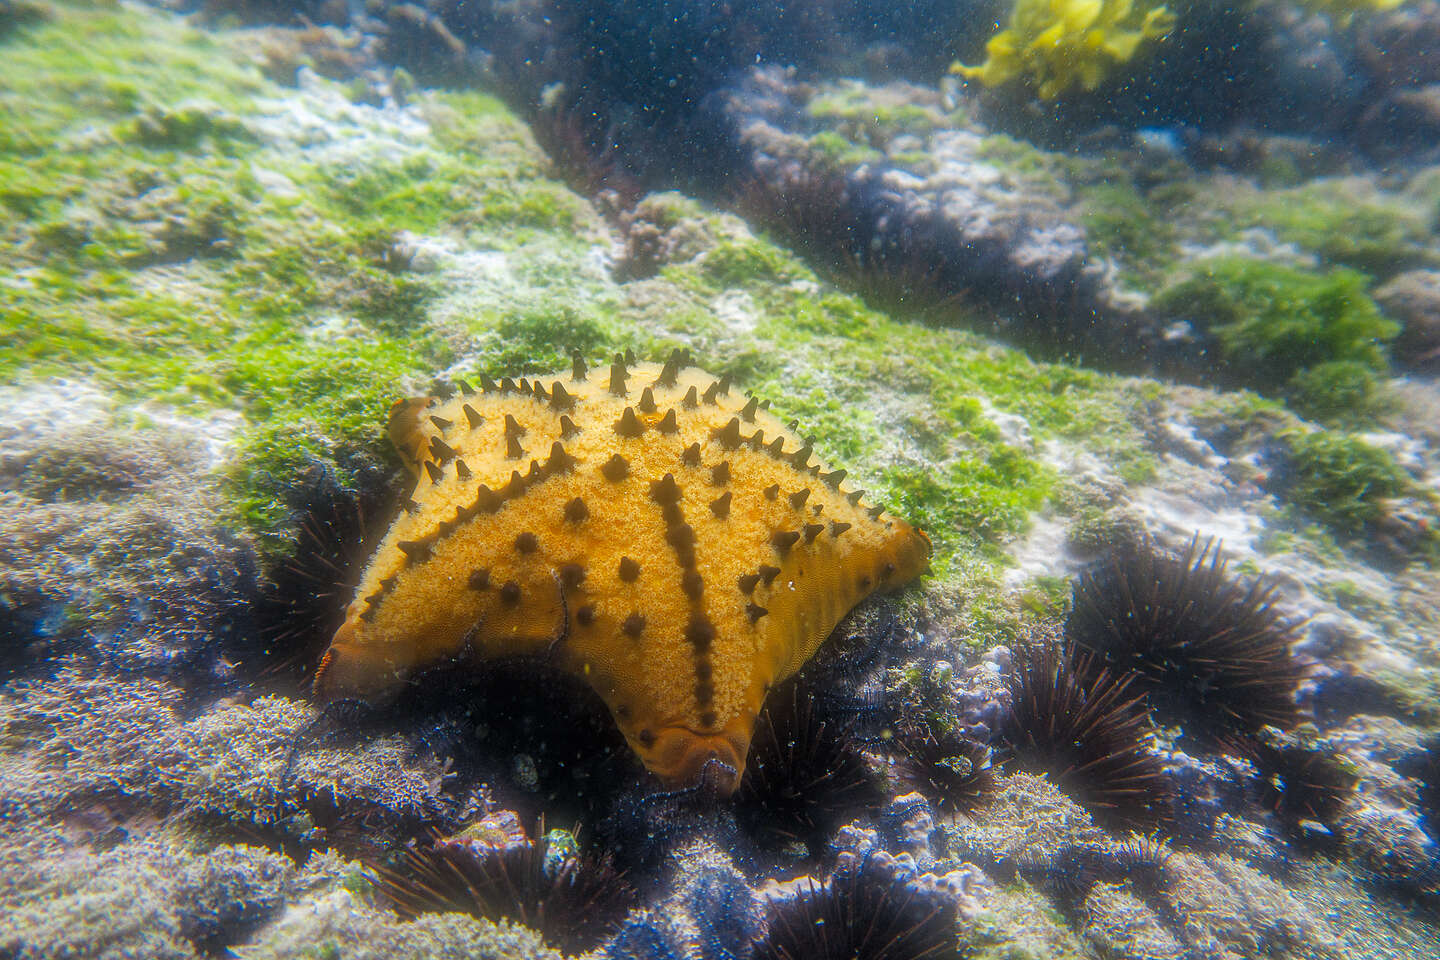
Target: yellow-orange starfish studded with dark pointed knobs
(676,549)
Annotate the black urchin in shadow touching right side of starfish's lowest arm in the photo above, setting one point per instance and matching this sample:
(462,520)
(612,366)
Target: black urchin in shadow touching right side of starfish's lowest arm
(806,775)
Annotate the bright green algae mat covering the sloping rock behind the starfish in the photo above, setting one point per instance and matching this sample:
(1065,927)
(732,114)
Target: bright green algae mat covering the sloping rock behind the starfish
(290,299)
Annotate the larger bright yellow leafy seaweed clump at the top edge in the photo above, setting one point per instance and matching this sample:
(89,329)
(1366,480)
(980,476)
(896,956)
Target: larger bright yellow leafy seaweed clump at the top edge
(1056,45)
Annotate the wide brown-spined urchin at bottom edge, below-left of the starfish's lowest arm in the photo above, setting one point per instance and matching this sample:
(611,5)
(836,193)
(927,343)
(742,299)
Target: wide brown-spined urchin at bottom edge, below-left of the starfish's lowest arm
(574,902)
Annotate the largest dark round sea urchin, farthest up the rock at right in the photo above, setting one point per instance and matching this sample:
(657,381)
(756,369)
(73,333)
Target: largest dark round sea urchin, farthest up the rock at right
(1212,654)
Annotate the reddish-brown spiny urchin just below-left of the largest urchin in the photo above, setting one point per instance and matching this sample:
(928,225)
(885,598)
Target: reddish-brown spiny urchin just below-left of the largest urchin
(1081,726)
